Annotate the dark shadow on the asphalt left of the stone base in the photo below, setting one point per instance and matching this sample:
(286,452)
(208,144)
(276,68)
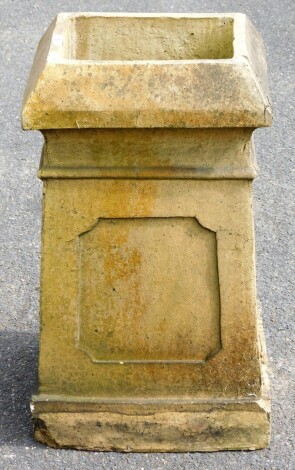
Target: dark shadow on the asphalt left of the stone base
(18,380)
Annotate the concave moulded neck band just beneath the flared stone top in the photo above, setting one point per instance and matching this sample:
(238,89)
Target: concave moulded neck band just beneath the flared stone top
(149,153)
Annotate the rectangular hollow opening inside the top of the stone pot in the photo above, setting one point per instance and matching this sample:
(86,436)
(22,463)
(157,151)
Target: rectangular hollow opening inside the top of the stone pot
(130,38)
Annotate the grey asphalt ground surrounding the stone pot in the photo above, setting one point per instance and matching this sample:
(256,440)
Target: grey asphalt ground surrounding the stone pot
(22,24)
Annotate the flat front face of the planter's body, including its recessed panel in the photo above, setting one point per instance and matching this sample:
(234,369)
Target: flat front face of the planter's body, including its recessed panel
(148,289)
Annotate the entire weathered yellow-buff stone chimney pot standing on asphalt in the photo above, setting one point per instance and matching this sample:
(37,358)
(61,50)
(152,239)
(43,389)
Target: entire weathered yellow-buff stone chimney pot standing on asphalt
(149,338)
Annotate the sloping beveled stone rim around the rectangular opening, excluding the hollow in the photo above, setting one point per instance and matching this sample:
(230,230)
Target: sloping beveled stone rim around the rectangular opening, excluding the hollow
(51,70)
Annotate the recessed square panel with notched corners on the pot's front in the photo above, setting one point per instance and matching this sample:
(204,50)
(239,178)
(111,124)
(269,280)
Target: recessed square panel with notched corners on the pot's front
(148,290)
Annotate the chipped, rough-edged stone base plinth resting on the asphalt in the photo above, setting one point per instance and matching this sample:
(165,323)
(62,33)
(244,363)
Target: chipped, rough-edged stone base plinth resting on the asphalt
(151,426)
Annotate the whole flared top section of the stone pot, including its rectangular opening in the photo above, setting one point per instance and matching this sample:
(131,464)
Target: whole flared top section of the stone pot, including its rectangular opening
(181,71)
